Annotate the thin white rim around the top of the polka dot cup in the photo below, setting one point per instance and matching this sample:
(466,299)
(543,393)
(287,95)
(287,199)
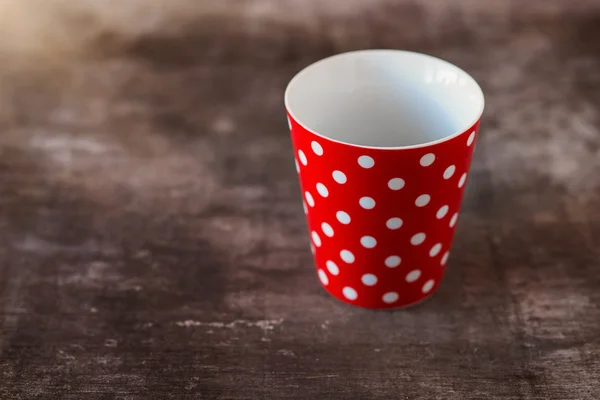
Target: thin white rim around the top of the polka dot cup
(372,51)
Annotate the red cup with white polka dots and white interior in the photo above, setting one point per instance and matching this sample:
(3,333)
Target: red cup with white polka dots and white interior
(383,141)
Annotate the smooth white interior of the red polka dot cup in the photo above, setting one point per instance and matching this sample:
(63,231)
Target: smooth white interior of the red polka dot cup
(384,99)
